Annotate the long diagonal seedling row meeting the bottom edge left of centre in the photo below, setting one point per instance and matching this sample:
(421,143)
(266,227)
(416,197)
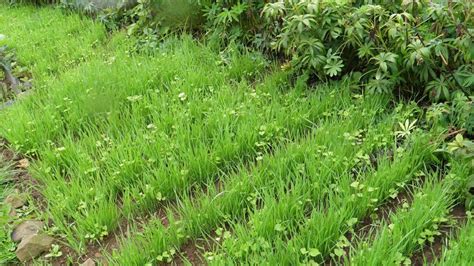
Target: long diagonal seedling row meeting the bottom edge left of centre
(331,144)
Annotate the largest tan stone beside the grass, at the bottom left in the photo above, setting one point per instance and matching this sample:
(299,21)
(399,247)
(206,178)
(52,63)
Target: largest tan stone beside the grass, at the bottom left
(32,246)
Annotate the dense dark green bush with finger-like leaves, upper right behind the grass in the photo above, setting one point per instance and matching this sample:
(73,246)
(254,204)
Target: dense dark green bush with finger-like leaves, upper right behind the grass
(416,46)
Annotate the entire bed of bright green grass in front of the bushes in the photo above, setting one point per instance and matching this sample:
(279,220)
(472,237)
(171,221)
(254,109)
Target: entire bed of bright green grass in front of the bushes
(226,144)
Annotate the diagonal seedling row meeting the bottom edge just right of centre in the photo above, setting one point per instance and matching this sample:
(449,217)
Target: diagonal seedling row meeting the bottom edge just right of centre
(321,234)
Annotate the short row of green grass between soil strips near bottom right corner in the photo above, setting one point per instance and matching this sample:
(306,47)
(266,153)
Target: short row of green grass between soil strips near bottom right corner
(394,242)
